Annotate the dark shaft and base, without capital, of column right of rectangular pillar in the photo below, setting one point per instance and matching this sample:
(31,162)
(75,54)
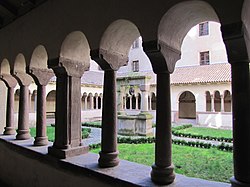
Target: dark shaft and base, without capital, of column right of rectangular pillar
(109,152)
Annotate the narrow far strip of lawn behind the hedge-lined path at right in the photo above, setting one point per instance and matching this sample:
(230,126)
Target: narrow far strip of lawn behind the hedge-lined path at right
(207,132)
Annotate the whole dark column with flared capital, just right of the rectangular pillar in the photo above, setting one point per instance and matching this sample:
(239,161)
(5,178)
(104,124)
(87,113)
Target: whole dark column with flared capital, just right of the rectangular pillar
(109,152)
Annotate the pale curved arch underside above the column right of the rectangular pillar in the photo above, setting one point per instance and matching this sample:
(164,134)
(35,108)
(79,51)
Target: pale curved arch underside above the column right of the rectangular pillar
(116,42)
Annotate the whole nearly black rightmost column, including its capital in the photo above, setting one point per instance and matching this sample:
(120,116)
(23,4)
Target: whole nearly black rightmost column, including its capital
(233,36)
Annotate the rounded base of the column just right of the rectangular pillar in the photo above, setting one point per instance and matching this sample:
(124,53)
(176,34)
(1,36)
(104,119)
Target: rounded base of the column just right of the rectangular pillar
(108,159)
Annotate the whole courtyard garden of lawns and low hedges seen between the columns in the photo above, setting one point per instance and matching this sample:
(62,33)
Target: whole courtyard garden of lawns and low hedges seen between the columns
(193,152)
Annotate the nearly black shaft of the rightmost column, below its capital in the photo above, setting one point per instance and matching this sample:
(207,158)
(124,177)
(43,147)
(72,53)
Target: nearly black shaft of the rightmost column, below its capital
(241,122)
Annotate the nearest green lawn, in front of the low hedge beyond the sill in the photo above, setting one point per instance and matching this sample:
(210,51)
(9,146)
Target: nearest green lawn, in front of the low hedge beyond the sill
(210,164)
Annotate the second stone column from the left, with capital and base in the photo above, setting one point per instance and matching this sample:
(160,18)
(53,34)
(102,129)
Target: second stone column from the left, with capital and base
(24,80)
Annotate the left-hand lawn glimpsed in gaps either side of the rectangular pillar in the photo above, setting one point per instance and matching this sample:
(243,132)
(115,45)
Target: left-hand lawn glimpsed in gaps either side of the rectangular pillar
(51,132)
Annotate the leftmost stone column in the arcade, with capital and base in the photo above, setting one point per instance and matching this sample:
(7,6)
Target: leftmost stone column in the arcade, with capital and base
(10,82)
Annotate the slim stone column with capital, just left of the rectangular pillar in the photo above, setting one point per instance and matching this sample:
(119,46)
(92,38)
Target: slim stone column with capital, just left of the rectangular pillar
(41,77)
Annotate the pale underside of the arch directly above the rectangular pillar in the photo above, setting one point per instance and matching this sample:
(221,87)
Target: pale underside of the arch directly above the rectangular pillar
(76,47)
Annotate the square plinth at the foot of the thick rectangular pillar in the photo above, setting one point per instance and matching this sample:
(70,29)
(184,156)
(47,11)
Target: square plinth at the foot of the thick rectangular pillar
(66,153)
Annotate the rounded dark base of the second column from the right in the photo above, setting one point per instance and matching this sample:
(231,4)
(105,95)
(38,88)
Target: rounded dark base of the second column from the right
(162,175)
